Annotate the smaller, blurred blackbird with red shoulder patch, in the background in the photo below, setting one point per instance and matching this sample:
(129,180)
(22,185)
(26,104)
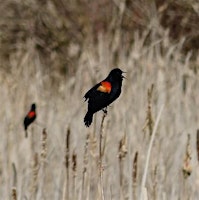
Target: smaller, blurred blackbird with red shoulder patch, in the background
(30,117)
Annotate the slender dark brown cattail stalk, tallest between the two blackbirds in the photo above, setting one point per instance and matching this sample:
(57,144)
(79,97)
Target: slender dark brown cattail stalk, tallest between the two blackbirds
(67,164)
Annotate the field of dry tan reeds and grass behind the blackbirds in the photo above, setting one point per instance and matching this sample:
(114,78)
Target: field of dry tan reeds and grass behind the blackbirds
(86,163)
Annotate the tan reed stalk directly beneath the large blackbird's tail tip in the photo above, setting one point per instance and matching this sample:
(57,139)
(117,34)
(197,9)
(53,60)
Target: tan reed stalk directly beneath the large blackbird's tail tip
(85,161)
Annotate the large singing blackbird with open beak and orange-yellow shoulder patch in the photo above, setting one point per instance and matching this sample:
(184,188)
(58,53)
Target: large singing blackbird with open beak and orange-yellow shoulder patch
(103,94)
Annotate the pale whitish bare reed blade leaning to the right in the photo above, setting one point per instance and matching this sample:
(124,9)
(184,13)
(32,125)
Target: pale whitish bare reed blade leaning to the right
(143,188)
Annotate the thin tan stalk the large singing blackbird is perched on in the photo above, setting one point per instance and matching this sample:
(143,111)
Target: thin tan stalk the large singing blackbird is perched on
(101,153)
